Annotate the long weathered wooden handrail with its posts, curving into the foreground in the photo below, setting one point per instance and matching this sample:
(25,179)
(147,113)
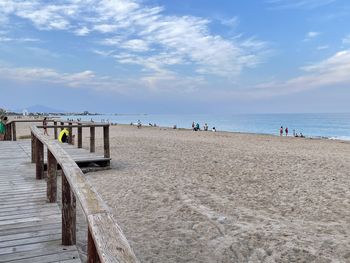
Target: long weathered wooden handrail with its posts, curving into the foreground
(106,241)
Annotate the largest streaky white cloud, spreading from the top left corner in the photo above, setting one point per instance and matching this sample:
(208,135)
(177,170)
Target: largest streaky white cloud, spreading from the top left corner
(132,27)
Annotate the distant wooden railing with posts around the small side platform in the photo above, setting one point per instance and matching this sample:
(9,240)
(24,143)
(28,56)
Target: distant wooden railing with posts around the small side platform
(11,133)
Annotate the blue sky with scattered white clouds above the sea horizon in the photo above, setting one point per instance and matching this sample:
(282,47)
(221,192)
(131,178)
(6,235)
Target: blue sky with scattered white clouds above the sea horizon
(189,56)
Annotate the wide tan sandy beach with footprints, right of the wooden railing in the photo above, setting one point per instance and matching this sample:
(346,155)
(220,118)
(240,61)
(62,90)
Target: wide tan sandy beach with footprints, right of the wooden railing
(184,196)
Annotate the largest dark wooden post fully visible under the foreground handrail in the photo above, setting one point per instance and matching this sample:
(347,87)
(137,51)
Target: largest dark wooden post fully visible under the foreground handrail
(68,214)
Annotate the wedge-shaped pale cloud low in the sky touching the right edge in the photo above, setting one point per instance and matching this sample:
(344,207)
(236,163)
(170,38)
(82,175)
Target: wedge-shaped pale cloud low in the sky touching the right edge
(330,72)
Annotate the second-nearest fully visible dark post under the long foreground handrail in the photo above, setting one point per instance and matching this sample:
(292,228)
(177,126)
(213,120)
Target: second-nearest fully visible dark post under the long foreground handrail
(51,178)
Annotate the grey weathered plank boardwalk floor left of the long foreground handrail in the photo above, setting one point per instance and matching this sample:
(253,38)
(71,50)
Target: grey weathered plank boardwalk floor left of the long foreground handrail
(30,227)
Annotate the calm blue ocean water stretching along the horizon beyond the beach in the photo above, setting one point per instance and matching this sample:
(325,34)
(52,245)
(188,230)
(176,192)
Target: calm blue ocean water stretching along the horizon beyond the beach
(327,125)
